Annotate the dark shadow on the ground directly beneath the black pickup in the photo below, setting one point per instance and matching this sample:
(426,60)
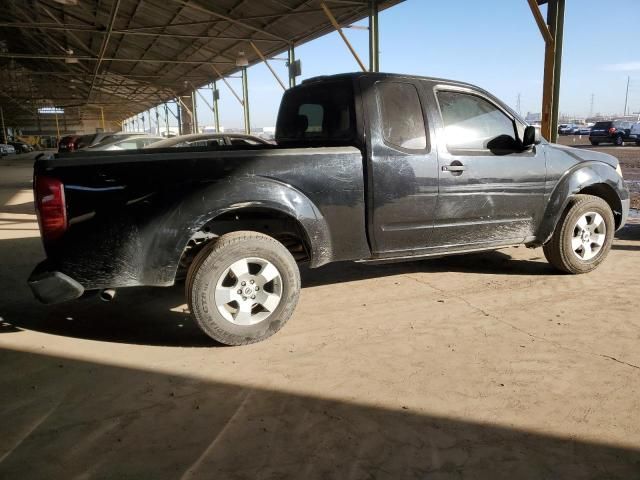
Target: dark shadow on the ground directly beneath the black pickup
(158,316)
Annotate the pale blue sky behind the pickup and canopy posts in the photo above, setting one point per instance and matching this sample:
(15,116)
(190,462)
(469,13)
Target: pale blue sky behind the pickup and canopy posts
(494,44)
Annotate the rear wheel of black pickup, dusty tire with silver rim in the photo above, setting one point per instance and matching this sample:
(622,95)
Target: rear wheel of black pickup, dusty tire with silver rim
(265,272)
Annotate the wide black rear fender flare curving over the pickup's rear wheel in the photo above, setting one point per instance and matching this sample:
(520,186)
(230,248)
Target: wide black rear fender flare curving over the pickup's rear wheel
(167,238)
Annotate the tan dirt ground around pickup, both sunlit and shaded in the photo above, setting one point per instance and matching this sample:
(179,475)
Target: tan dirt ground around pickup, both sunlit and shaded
(479,366)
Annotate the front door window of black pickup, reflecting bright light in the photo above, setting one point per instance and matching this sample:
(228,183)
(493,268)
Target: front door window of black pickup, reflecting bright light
(471,122)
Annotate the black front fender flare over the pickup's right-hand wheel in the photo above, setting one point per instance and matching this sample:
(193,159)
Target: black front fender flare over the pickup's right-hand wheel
(575,180)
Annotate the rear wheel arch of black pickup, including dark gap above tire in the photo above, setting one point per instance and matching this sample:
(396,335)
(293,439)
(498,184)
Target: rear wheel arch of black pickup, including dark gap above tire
(249,198)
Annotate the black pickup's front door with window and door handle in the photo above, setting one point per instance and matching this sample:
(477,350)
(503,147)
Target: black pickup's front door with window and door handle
(490,192)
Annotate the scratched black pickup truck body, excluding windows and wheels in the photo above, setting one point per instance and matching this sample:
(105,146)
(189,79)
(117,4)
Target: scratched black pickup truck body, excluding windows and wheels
(132,214)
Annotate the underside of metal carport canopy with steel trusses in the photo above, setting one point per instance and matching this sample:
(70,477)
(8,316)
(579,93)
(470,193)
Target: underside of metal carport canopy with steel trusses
(128,55)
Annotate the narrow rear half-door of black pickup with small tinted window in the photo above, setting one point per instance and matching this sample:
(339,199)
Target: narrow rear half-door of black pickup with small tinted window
(402,167)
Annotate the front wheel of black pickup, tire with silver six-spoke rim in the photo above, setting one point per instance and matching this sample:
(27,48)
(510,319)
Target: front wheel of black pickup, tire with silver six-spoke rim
(567,249)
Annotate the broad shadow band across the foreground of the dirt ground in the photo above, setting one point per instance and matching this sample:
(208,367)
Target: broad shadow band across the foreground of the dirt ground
(140,424)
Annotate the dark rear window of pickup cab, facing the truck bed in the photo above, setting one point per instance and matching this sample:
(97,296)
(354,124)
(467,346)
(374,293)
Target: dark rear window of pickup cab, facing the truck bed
(321,114)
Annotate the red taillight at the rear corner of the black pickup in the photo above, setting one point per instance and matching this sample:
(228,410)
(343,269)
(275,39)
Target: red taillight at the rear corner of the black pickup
(50,207)
